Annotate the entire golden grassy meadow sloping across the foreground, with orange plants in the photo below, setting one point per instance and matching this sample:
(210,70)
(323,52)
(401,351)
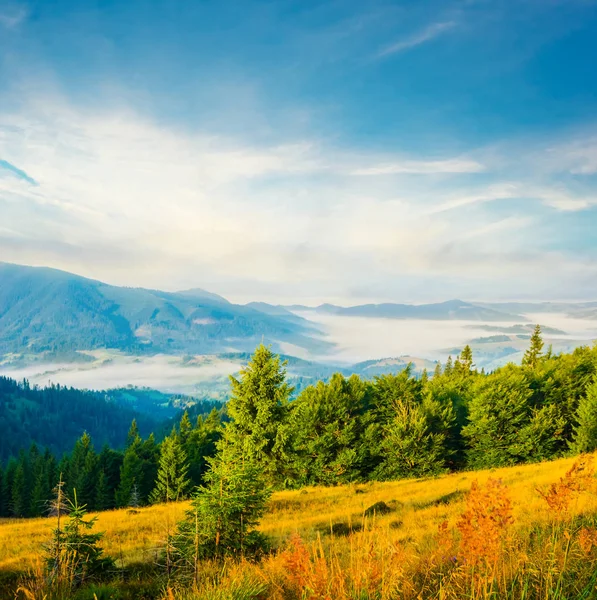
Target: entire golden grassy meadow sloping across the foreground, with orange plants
(523,532)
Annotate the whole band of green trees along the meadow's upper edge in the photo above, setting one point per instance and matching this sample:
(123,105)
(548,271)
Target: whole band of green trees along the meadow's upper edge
(347,429)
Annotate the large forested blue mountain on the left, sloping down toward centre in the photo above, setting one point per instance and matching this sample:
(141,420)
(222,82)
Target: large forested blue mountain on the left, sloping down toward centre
(46,310)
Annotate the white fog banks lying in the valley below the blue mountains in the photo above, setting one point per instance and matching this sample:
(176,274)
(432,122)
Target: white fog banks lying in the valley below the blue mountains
(356,338)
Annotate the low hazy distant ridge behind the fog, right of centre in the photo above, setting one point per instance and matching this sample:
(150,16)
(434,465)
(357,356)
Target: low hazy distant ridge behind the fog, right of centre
(450,310)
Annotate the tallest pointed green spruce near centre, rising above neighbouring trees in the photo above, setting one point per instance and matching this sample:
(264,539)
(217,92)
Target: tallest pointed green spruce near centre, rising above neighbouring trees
(258,409)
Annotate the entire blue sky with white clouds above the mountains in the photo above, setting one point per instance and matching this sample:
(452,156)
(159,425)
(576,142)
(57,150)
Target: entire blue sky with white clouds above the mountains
(301,151)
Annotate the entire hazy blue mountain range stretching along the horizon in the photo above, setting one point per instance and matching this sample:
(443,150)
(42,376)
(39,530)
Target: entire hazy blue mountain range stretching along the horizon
(47,311)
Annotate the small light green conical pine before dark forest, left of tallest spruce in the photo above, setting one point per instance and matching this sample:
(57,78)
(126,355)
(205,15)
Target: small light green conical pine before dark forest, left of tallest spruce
(172,482)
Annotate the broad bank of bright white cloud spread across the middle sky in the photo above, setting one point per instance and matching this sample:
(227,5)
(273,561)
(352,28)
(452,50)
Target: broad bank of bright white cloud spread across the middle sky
(123,199)
